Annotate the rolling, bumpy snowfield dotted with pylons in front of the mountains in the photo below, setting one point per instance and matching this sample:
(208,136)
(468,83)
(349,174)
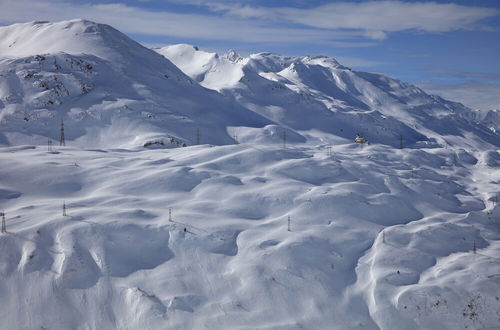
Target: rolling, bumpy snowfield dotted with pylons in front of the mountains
(378,239)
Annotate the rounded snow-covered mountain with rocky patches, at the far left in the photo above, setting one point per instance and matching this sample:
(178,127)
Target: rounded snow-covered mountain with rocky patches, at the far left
(109,90)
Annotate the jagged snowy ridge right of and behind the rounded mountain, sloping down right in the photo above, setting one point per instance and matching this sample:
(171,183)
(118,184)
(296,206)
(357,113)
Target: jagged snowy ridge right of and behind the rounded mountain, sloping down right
(317,93)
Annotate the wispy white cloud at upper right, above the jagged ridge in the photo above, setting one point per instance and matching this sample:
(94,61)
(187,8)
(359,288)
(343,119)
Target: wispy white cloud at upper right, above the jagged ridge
(376,18)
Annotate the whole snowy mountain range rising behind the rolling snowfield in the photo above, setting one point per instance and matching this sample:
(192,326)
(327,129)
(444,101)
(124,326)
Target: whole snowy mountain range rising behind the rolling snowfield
(111,91)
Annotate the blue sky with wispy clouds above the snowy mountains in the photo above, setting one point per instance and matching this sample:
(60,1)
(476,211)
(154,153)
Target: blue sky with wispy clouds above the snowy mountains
(451,48)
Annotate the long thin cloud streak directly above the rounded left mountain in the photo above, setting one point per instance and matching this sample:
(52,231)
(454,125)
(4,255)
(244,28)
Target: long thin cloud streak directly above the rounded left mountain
(137,20)
